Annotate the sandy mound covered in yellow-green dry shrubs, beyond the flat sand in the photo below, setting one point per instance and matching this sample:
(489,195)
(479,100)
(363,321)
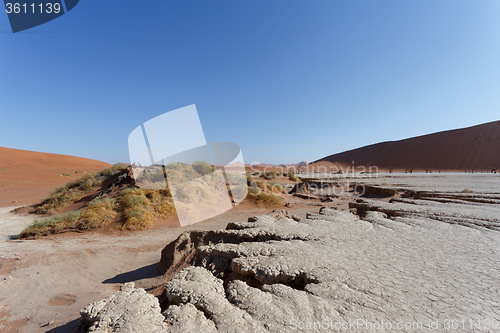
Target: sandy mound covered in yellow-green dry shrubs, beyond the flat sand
(111,199)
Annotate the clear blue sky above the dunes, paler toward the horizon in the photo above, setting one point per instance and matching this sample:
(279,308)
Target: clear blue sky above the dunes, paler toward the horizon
(287,80)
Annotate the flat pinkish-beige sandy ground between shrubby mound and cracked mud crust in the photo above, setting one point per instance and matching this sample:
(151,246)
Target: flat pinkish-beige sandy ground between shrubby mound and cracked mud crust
(44,283)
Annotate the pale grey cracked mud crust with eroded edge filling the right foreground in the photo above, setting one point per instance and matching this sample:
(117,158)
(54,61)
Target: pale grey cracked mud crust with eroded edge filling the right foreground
(414,261)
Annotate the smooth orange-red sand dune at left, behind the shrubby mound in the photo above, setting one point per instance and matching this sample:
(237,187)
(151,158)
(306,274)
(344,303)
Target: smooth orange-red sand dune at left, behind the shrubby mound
(31,176)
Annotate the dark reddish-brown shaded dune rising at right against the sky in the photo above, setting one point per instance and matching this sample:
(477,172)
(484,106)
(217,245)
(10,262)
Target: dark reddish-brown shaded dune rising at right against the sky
(475,148)
